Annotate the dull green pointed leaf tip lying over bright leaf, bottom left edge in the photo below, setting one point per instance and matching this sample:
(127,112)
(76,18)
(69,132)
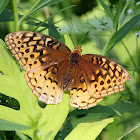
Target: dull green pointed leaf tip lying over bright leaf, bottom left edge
(9,126)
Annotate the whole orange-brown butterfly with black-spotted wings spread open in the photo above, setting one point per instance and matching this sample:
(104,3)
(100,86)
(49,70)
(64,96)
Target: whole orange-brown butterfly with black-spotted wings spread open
(51,68)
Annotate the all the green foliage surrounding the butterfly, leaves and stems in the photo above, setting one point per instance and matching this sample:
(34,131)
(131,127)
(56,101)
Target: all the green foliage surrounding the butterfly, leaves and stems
(20,110)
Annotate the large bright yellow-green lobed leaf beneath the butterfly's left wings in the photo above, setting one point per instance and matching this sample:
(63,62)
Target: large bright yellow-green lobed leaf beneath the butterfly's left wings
(43,122)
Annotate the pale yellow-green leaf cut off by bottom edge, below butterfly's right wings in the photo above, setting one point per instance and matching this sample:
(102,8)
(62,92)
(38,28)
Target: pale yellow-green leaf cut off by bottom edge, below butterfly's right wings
(88,130)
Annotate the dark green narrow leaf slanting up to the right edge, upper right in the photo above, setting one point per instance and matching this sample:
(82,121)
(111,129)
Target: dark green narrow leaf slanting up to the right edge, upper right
(126,28)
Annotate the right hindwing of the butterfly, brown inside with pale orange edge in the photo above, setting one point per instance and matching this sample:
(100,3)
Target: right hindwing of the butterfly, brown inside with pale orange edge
(80,95)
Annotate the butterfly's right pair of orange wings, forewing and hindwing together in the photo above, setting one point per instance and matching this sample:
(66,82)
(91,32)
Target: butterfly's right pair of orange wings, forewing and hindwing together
(97,77)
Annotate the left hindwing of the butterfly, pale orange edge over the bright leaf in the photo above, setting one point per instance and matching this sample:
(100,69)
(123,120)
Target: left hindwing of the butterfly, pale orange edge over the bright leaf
(47,84)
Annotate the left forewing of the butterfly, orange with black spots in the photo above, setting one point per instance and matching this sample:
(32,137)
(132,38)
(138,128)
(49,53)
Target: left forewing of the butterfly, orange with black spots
(35,51)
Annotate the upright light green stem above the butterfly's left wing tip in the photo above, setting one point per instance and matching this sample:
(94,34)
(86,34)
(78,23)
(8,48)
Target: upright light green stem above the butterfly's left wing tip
(15,15)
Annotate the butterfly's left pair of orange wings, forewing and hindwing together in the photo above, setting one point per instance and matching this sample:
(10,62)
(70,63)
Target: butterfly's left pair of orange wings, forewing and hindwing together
(44,59)
